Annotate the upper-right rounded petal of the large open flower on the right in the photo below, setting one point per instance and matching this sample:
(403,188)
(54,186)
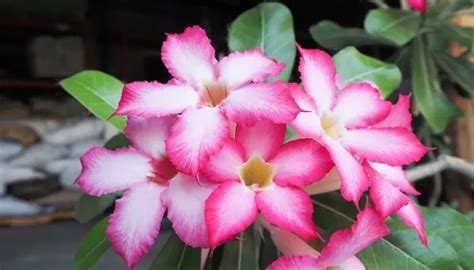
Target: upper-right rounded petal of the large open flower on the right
(361,105)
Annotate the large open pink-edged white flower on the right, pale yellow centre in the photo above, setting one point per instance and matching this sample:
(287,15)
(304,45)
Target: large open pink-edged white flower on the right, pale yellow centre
(345,123)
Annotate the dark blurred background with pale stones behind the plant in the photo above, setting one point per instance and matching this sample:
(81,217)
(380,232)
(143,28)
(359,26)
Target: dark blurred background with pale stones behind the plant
(43,131)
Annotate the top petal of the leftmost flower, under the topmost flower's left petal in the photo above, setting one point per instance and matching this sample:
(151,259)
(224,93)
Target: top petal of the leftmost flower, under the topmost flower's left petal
(149,134)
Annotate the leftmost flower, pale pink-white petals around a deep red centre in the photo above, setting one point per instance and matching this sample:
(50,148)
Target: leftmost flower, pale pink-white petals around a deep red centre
(151,184)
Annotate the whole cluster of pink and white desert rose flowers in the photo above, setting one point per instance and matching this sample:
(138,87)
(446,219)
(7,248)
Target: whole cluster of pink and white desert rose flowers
(208,149)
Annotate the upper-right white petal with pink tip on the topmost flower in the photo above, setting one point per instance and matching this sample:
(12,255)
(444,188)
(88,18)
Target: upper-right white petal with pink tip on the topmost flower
(252,65)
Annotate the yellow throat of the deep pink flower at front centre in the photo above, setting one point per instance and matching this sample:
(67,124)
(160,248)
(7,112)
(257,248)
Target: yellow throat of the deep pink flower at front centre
(256,174)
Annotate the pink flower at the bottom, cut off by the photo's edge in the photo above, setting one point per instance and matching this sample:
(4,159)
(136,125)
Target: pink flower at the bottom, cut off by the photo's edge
(340,250)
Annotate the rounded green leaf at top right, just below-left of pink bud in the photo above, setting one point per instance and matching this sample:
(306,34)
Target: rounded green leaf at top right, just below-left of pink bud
(397,25)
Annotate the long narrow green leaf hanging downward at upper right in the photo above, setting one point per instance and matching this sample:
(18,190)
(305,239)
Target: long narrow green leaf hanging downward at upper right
(432,102)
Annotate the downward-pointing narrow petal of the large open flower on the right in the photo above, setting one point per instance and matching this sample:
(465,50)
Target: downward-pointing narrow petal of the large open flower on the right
(354,180)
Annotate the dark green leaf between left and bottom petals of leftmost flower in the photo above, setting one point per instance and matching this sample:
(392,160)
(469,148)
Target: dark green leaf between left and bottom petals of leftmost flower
(90,207)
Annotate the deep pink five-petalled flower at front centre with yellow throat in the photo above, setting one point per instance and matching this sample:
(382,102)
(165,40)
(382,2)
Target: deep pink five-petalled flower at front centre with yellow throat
(256,172)
